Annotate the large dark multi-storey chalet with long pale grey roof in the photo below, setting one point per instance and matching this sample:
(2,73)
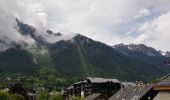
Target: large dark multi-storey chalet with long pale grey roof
(91,85)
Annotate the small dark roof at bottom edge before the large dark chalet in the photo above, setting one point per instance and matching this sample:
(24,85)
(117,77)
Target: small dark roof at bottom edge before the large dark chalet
(96,96)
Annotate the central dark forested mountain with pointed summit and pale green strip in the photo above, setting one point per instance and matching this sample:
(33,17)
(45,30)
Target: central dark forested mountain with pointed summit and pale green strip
(82,56)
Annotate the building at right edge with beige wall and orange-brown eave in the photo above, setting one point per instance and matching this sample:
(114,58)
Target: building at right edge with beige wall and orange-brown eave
(163,88)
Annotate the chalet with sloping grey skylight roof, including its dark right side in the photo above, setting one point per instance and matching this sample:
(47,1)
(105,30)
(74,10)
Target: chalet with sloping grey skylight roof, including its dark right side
(135,93)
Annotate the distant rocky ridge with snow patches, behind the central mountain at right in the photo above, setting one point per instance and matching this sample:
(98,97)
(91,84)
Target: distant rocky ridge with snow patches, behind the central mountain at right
(143,53)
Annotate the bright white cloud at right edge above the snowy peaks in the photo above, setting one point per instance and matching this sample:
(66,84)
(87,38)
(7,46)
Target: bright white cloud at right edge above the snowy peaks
(156,32)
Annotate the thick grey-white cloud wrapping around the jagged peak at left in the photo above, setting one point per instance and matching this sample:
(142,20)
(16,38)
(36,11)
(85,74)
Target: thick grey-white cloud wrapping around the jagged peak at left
(27,11)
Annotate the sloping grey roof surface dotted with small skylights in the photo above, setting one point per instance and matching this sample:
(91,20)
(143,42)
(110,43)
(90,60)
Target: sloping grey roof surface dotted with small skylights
(131,93)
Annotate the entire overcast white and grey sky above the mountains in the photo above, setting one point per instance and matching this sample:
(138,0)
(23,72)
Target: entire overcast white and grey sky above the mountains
(108,21)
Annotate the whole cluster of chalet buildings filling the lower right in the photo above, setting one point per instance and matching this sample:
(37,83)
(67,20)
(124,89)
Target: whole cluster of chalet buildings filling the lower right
(113,89)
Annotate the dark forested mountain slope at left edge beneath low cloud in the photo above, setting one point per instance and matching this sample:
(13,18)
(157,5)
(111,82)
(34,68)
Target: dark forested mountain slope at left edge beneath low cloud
(17,61)
